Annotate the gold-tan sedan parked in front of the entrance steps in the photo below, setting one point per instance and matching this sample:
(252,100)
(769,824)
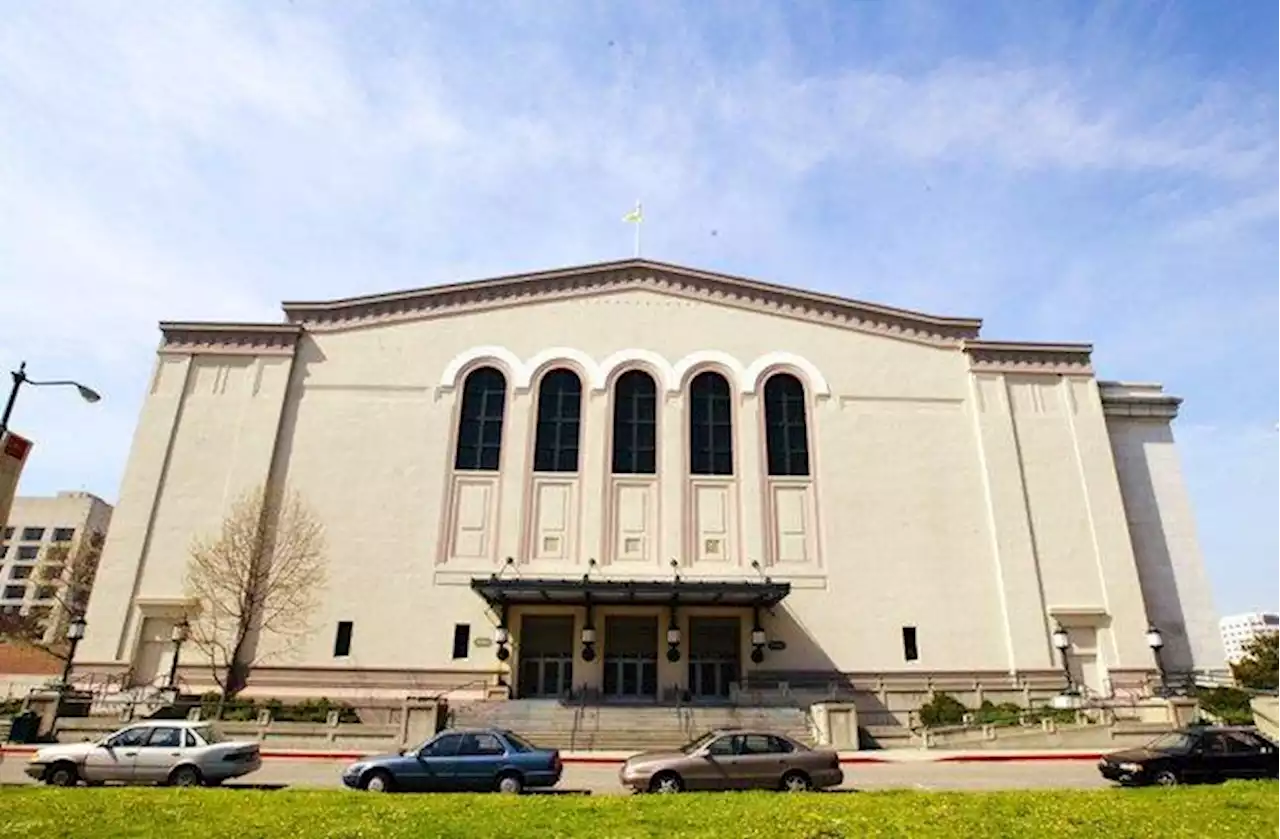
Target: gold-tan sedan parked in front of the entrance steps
(734,760)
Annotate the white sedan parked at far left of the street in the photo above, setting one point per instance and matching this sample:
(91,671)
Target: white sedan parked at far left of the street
(173,753)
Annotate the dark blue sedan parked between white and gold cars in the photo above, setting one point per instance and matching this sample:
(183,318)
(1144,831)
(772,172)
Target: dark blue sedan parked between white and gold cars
(460,760)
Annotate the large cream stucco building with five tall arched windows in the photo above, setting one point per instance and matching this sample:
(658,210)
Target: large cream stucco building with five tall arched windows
(643,481)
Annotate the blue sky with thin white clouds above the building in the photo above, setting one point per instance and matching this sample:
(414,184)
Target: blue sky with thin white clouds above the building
(1068,172)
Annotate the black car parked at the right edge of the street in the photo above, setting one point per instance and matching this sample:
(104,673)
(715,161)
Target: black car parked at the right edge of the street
(1196,755)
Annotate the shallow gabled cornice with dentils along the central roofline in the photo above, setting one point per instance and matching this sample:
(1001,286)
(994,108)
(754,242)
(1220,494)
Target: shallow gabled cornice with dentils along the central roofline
(629,275)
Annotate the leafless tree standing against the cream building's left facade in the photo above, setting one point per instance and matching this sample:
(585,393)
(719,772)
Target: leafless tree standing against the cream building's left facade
(260,576)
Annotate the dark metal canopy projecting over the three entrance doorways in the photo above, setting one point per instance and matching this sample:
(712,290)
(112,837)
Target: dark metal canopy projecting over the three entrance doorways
(527,591)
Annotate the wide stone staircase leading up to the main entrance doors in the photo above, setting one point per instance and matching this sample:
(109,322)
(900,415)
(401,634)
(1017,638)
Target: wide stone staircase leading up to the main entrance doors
(623,728)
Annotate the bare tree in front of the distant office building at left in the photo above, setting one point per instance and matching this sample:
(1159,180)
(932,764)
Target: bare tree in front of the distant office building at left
(65,577)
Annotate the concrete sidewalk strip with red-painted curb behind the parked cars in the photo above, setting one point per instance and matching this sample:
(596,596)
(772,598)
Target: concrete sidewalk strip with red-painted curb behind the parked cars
(872,758)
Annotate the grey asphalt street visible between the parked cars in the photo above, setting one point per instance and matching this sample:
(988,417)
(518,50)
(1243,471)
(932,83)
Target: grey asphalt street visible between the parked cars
(604,779)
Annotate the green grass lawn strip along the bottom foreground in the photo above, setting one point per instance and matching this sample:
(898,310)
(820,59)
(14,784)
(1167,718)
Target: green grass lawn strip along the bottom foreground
(1233,810)
